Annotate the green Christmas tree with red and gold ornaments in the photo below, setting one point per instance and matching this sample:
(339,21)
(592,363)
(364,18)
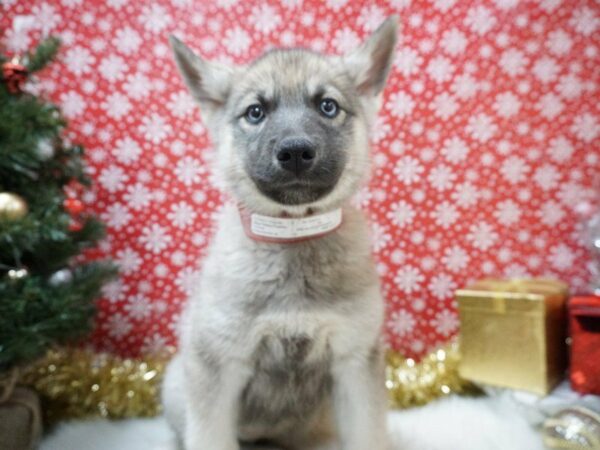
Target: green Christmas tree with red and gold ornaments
(46,292)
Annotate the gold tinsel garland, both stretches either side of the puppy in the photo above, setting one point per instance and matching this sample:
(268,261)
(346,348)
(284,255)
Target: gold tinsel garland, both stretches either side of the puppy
(75,383)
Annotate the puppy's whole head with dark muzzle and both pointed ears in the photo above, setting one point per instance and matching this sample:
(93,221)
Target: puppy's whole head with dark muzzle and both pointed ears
(291,128)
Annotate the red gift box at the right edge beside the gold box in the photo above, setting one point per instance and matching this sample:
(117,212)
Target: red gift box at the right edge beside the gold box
(584,313)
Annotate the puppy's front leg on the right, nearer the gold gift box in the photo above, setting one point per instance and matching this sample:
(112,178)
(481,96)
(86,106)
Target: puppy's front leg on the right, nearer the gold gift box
(360,403)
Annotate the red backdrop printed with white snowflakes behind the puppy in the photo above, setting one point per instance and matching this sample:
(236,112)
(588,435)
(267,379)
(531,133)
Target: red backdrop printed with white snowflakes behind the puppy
(486,143)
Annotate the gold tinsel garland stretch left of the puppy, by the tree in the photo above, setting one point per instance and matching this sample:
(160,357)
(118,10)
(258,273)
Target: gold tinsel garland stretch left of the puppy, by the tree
(75,383)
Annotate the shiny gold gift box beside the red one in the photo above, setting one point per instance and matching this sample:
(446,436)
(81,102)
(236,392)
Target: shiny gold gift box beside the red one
(512,333)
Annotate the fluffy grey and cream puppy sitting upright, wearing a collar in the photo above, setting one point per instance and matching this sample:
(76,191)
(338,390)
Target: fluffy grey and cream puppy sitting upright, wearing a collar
(282,344)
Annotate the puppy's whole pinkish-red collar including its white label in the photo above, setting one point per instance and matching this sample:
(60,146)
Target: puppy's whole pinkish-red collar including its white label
(289,230)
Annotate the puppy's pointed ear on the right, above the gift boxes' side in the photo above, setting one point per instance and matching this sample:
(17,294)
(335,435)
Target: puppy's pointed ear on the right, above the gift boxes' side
(370,63)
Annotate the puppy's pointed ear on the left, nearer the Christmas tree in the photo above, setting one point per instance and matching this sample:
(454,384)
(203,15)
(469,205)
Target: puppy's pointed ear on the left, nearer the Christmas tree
(209,82)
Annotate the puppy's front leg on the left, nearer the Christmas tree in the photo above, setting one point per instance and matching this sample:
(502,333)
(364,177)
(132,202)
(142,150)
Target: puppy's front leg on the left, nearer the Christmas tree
(213,404)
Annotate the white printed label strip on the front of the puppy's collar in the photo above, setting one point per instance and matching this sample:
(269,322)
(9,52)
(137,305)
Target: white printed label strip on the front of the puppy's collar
(289,228)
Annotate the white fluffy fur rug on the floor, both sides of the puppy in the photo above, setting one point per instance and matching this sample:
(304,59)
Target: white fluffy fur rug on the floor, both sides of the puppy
(451,424)
